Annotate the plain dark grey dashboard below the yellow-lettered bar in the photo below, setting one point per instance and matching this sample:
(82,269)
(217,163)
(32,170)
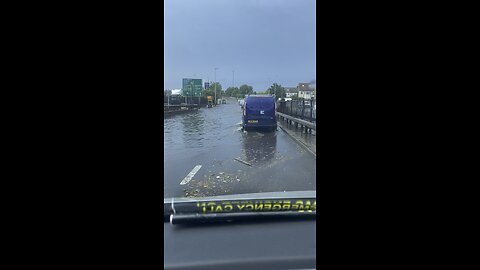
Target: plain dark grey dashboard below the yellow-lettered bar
(241,245)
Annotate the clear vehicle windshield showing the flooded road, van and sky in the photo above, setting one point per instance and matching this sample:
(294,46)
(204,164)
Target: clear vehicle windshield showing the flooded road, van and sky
(218,54)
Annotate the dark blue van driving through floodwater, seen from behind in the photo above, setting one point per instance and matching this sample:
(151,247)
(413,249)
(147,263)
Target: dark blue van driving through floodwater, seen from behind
(259,112)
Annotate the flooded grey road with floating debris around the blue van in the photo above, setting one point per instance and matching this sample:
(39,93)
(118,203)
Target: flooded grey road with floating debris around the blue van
(207,154)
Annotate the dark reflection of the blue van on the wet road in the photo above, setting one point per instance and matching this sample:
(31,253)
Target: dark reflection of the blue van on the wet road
(259,147)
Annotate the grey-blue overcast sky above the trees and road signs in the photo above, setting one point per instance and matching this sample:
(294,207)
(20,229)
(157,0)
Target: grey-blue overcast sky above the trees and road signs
(264,41)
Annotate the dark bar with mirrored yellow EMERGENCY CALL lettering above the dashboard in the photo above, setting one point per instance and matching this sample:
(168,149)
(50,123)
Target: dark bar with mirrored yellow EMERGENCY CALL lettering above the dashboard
(244,207)
